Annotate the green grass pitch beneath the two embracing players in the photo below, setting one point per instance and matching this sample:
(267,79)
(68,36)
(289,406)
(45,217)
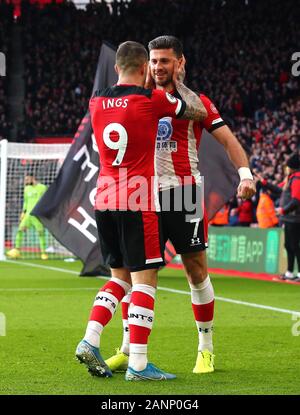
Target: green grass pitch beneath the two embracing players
(46,312)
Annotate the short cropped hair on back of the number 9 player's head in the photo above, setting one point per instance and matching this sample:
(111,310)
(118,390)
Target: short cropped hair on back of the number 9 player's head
(131,55)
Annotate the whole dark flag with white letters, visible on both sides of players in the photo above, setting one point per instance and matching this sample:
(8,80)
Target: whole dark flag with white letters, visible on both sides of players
(66,209)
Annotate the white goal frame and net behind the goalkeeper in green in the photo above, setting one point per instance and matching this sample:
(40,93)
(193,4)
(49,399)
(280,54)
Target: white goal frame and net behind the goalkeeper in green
(27,236)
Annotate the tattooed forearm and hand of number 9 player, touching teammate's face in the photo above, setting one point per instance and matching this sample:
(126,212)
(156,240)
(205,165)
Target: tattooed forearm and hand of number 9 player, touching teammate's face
(195,109)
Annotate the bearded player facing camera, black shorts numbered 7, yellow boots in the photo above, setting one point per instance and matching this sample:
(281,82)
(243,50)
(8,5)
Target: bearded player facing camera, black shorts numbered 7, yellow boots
(180,183)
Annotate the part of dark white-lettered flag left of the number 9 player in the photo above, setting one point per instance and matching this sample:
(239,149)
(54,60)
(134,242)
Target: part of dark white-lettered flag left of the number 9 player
(66,209)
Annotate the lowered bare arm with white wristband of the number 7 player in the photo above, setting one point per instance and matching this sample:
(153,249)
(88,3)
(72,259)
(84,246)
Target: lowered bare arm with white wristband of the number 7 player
(237,155)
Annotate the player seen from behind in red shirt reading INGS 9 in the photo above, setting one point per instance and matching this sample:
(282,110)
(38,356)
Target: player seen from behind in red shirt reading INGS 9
(125,120)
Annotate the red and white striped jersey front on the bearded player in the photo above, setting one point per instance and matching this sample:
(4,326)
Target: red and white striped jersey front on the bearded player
(177,146)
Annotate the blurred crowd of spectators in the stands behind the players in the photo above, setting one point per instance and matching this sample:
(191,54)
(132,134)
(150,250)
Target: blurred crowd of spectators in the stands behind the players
(238,53)
